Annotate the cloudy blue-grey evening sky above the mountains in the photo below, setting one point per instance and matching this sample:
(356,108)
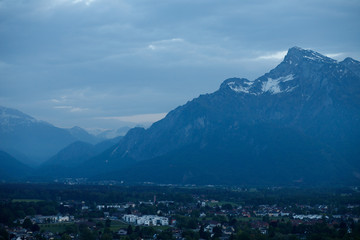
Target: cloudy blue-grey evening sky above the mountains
(105,64)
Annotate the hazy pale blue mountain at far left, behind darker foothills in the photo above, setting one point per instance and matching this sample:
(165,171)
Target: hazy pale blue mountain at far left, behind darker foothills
(32,141)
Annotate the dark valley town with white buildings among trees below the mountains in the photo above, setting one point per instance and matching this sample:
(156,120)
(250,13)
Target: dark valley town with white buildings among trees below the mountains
(159,212)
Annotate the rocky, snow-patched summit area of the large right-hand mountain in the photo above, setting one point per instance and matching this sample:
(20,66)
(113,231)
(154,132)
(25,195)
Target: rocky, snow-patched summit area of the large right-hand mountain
(301,70)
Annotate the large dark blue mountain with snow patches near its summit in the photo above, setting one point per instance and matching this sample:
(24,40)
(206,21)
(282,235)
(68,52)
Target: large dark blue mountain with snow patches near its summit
(297,124)
